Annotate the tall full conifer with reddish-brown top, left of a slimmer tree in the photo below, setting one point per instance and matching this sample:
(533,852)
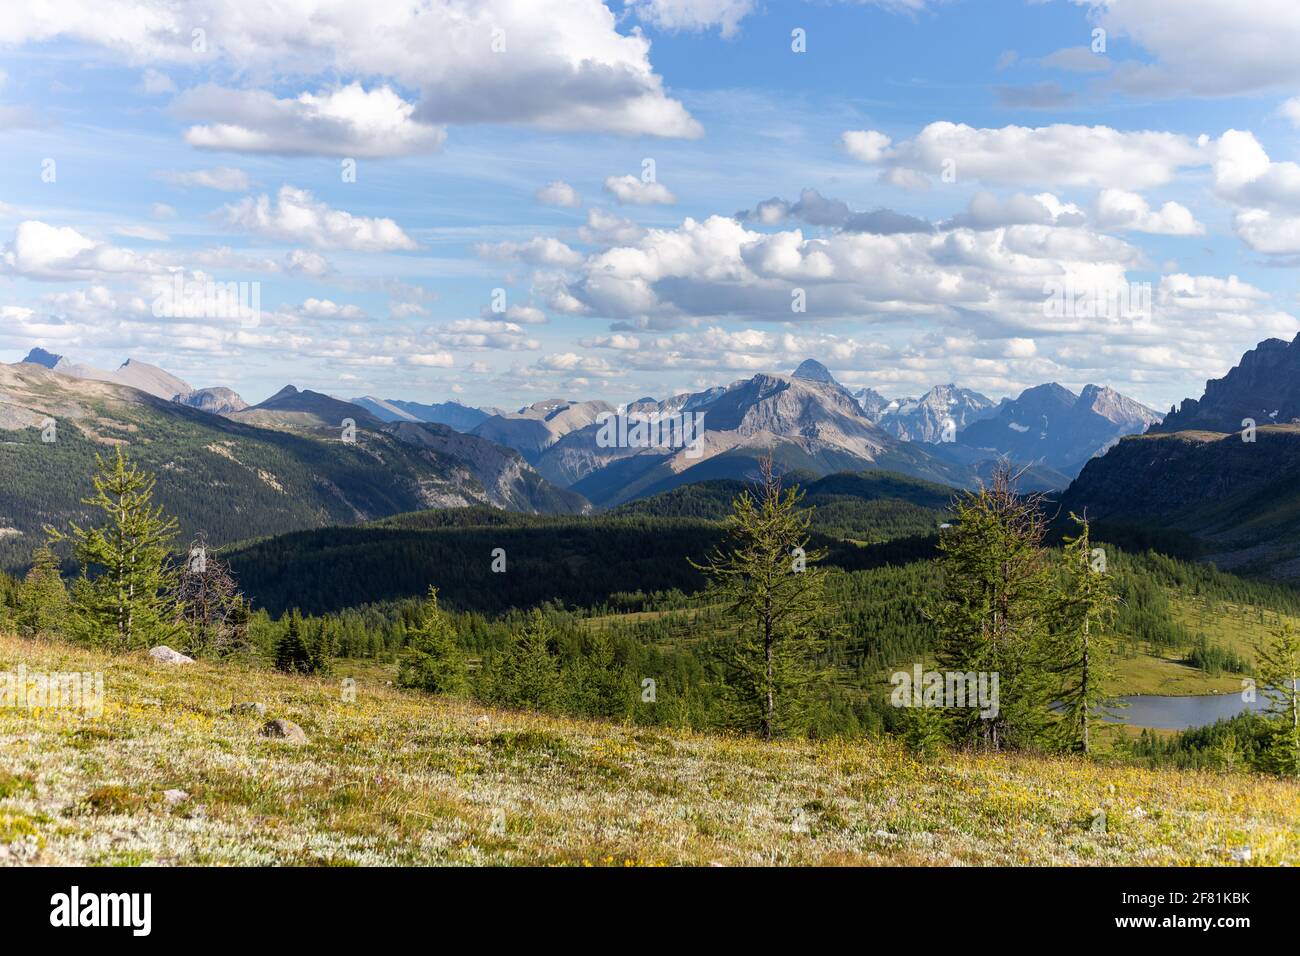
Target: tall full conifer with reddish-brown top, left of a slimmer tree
(995,609)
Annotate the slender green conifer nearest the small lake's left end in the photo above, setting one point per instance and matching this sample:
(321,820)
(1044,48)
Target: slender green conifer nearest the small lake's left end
(1082,646)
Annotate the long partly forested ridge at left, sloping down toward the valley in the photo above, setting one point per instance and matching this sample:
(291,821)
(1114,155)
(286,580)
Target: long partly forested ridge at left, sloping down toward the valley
(276,468)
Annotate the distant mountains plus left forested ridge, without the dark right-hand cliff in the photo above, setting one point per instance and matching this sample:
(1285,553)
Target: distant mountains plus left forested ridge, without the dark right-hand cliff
(344,462)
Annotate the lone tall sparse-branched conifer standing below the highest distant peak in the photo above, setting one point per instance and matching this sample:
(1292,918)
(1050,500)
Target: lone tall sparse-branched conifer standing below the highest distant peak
(768,579)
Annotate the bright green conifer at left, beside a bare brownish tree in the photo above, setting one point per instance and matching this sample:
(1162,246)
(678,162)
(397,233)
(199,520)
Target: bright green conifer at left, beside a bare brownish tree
(124,599)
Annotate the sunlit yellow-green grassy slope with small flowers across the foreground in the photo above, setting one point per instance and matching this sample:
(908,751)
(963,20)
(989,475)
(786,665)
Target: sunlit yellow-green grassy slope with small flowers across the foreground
(400,778)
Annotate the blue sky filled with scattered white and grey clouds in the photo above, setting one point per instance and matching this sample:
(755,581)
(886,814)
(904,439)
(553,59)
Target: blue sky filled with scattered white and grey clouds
(1167,162)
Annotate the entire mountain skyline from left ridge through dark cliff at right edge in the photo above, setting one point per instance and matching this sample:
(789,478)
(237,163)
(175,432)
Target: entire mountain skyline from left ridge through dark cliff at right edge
(1198,485)
